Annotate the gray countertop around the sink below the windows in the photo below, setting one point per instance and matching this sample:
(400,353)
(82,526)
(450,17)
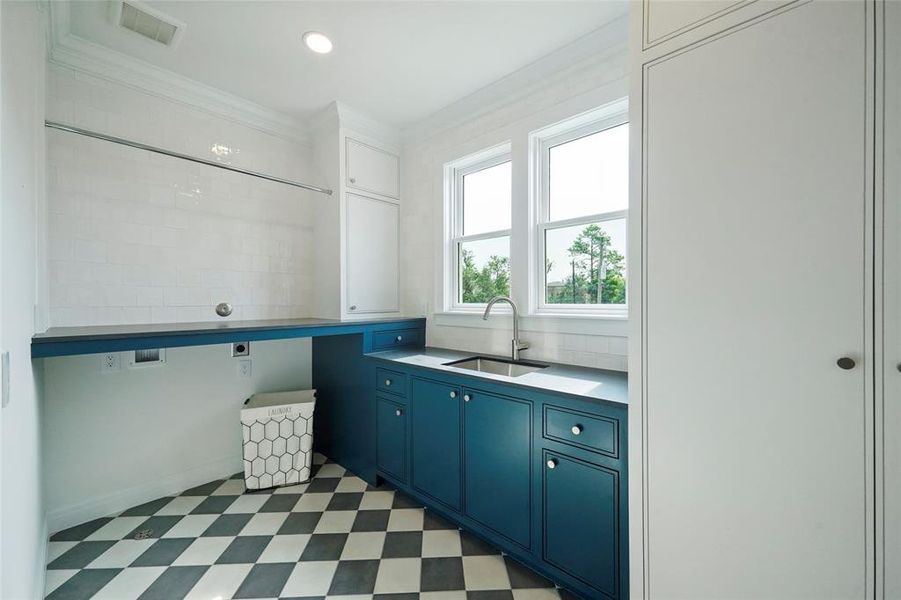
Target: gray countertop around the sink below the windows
(592,384)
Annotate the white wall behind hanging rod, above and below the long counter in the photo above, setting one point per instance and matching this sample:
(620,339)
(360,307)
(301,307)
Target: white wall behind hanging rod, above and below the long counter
(136,237)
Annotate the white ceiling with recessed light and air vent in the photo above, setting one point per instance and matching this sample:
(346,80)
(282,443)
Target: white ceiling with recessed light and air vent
(396,61)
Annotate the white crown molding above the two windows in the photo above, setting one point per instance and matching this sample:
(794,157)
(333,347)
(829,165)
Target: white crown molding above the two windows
(591,52)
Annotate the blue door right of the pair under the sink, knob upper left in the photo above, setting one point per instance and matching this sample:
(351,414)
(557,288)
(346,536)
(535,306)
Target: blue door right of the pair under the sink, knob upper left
(497,463)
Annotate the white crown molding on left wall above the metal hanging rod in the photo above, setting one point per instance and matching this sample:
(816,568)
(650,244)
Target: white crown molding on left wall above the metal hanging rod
(73,52)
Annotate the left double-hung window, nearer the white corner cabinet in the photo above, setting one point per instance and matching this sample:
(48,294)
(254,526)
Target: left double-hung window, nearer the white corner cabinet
(480,193)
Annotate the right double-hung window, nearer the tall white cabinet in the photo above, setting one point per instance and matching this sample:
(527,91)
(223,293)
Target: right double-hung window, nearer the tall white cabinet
(582,188)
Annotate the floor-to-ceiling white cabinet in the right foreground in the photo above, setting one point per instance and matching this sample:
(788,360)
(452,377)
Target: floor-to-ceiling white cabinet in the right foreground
(753,414)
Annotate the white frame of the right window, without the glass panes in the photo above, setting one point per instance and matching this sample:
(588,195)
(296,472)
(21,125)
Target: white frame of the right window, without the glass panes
(541,142)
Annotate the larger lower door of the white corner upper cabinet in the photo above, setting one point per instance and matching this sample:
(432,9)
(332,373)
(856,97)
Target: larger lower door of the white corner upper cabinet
(372,255)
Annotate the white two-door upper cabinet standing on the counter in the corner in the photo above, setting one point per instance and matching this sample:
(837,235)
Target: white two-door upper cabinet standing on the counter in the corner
(357,230)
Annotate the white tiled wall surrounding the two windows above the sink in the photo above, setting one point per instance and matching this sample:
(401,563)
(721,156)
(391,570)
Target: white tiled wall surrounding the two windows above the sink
(422,212)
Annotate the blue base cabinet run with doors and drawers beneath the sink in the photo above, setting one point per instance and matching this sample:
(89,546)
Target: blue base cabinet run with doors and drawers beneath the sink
(543,476)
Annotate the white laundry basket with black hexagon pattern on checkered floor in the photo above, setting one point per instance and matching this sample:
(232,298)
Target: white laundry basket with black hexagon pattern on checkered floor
(278,438)
